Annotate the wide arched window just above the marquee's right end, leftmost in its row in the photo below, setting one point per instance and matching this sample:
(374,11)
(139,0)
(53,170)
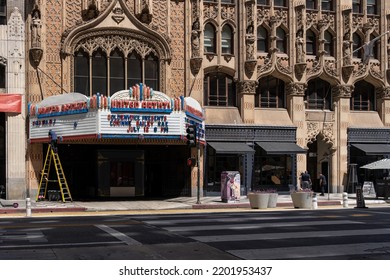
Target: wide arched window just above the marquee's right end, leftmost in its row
(219,90)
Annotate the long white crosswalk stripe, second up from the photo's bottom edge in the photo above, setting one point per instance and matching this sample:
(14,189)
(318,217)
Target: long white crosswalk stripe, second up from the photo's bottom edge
(289,235)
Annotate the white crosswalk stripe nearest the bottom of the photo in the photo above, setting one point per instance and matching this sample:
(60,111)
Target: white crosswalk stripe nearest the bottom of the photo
(311,252)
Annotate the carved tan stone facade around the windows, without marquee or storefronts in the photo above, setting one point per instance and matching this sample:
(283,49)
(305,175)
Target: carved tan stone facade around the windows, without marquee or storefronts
(175,31)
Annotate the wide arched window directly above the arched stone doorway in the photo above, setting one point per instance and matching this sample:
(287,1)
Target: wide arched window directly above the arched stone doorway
(318,95)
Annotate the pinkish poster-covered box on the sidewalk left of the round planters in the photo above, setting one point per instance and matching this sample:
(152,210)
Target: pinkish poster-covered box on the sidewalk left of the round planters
(230,186)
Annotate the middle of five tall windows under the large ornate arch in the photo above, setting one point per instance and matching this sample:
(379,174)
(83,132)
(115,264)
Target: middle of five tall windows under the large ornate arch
(117,72)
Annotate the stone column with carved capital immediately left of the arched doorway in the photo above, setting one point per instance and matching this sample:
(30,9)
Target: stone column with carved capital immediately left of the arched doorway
(296,109)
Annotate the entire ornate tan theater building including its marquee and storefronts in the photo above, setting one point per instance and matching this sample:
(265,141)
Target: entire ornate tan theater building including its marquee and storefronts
(278,87)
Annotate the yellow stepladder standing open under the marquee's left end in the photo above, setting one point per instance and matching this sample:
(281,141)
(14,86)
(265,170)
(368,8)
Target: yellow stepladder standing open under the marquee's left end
(52,155)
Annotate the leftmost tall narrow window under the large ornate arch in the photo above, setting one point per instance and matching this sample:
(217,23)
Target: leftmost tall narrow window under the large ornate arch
(81,73)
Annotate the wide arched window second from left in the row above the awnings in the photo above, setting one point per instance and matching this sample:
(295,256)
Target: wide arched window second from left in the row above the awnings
(270,93)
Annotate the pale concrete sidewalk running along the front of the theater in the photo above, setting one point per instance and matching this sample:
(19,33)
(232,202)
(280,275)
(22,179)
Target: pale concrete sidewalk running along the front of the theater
(284,202)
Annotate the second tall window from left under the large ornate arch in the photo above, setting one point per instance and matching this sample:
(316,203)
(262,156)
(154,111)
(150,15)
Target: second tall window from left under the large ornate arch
(99,72)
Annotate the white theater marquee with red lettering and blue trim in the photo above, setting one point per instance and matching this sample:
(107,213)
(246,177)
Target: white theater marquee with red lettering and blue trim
(139,112)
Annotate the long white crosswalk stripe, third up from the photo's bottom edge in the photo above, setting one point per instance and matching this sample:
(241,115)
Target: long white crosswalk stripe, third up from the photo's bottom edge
(257,226)
